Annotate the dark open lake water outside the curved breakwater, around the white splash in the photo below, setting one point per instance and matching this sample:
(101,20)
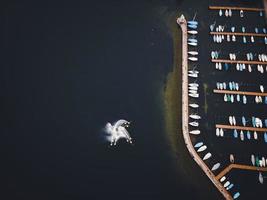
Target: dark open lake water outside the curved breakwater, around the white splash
(69,68)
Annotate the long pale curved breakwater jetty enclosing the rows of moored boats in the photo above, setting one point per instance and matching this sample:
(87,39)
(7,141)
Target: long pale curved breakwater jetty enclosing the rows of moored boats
(181,21)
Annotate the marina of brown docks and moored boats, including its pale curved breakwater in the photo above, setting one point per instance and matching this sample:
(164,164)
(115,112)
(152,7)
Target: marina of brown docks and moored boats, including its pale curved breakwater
(234,88)
